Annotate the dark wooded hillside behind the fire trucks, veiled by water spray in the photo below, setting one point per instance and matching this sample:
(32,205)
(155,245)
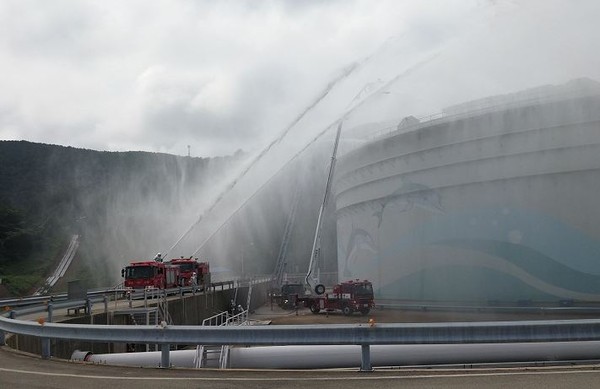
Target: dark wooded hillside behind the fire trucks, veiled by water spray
(130,205)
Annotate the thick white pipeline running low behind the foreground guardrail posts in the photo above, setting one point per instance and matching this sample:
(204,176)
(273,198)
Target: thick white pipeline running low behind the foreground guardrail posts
(321,357)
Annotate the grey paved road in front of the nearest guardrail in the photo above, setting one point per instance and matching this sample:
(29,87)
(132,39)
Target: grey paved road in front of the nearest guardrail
(18,370)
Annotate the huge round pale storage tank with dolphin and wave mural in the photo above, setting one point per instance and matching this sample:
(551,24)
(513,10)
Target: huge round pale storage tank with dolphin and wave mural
(494,201)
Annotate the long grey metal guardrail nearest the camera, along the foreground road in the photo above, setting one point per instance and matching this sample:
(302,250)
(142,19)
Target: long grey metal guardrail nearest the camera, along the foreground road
(363,335)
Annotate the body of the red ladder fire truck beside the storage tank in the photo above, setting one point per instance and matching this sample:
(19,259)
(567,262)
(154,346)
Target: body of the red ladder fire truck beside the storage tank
(349,297)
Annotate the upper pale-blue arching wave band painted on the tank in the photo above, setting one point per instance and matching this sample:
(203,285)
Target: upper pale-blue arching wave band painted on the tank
(535,237)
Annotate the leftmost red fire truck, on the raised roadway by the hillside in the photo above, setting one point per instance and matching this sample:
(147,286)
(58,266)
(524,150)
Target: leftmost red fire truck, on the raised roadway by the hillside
(150,274)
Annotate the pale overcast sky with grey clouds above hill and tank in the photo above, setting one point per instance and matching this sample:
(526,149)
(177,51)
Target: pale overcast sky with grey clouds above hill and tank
(225,75)
